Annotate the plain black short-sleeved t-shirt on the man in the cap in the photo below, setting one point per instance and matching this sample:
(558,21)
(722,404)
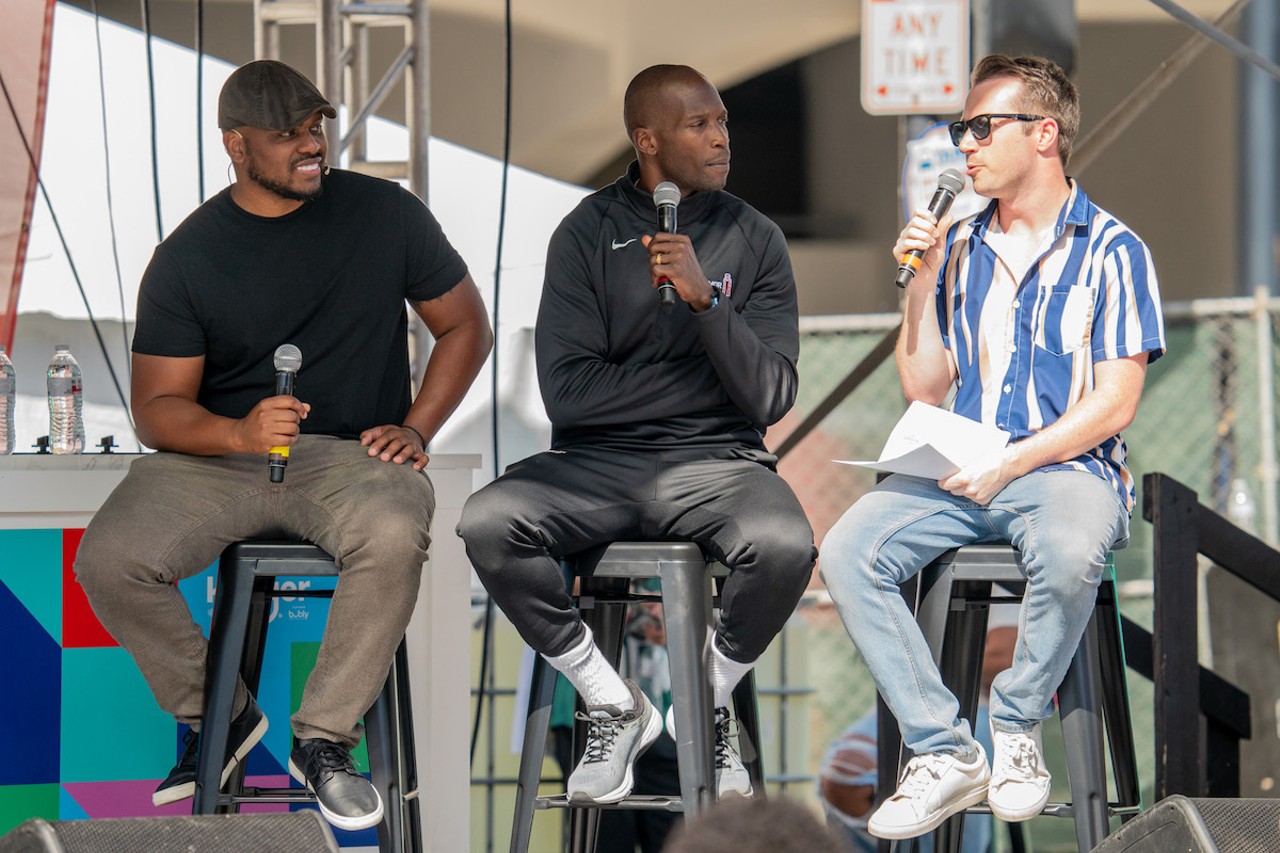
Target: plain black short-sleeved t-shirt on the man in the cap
(331,279)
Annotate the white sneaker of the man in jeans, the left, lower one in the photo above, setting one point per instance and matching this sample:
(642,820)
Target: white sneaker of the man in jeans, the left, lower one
(934,788)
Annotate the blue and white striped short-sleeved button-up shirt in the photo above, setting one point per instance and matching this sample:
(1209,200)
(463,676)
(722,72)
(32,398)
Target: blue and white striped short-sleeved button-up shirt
(1090,297)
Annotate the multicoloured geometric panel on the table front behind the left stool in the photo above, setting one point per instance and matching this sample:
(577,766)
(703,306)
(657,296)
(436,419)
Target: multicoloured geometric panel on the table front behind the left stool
(80,729)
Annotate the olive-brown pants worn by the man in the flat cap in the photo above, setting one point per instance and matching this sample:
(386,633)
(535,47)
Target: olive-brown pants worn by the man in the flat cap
(172,517)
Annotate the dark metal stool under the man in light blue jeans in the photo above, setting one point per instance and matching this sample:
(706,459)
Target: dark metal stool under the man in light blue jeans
(956,592)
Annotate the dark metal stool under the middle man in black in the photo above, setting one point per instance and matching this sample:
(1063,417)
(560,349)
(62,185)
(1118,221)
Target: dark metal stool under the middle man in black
(688,582)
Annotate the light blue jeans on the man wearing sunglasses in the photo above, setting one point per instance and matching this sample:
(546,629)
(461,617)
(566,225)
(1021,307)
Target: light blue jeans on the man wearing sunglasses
(1063,522)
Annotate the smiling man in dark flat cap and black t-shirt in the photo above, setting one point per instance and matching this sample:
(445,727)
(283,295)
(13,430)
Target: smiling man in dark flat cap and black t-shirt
(323,259)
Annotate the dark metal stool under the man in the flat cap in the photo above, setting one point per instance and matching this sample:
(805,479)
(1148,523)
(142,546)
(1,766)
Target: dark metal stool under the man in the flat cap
(246,581)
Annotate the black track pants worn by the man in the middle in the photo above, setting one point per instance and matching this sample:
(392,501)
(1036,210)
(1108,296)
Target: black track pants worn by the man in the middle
(561,503)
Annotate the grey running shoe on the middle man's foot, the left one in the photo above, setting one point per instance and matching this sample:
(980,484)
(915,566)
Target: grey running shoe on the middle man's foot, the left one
(615,740)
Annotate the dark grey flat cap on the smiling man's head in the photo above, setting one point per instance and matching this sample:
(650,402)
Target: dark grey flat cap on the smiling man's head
(271,95)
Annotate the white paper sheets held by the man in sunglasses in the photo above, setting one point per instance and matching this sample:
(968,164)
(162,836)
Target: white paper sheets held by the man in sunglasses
(935,444)
